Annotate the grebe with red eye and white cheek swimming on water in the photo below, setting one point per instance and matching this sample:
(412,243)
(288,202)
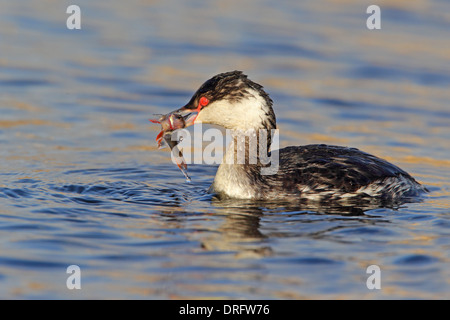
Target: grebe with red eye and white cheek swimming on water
(312,172)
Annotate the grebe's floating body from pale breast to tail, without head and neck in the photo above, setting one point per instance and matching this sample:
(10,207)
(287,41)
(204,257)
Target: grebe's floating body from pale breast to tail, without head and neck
(318,173)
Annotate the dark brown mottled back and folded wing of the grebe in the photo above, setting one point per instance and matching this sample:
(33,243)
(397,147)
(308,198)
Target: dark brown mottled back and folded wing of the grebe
(324,167)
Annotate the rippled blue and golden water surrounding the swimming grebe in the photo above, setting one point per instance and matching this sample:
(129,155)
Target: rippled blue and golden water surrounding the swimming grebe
(82,182)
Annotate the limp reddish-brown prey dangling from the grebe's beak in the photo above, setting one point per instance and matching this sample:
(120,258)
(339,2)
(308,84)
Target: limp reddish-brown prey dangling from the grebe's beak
(169,123)
